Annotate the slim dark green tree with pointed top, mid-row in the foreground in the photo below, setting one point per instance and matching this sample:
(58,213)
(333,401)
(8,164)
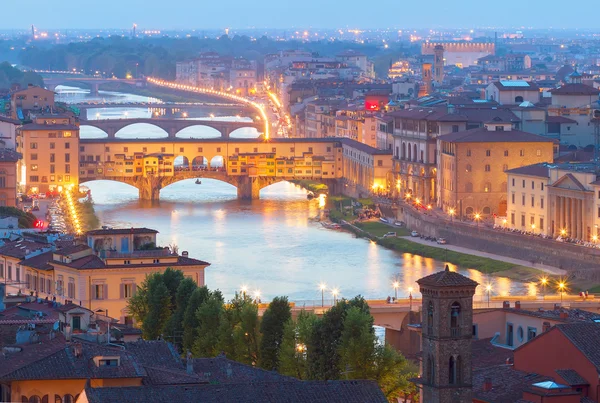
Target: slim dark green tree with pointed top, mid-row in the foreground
(271,327)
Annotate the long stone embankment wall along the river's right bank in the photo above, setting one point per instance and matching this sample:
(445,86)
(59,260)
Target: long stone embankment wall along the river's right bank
(581,261)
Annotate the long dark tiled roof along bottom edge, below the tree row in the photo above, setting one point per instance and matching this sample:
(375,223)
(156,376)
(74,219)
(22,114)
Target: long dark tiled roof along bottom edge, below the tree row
(271,392)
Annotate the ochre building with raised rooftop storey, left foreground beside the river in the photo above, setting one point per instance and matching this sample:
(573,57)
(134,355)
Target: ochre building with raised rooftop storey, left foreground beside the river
(100,275)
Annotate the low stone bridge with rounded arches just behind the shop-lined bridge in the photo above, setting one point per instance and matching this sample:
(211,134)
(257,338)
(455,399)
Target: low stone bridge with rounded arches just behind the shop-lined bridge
(171,126)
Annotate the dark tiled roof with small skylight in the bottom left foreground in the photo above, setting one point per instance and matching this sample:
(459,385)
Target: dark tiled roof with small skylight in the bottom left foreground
(63,364)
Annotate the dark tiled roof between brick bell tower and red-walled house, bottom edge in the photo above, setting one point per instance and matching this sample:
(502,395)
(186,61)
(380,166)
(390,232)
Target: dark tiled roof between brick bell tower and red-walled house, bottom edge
(508,384)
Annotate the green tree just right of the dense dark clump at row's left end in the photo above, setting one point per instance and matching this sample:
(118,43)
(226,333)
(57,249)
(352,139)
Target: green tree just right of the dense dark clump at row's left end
(209,315)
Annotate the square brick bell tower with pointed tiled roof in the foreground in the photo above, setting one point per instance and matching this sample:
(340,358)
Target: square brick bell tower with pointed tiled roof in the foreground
(447,329)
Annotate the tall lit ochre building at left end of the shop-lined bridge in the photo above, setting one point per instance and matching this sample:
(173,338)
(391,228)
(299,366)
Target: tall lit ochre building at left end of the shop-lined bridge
(50,149)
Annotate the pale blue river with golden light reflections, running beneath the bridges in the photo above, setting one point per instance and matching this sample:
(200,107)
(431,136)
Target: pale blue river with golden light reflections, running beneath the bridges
(272,244)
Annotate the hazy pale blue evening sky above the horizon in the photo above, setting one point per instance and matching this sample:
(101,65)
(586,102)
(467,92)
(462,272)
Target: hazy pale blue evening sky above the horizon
(239,14)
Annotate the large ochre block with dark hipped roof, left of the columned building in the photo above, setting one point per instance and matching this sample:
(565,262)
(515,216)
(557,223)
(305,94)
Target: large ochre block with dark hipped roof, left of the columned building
(471,174)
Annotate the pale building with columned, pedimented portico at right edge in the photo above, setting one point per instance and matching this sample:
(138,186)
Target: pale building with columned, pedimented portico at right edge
(560,199)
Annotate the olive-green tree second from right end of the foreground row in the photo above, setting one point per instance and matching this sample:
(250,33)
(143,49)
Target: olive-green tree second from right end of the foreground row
(357,344)
